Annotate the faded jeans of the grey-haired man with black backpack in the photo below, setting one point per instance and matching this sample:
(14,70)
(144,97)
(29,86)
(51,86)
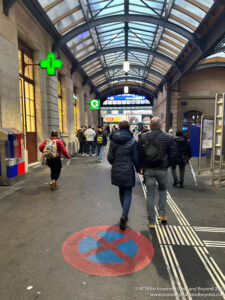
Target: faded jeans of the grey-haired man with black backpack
(152,176)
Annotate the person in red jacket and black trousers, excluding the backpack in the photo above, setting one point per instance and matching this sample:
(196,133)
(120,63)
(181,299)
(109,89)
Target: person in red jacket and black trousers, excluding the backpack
(55,163)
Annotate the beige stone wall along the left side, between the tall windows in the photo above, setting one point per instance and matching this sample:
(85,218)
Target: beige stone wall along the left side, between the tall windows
(20,24)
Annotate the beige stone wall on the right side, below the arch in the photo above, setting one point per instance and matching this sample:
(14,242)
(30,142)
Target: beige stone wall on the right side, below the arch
(195,91)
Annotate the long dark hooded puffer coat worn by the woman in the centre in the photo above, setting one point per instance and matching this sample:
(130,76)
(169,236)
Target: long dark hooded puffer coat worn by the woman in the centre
(123,157)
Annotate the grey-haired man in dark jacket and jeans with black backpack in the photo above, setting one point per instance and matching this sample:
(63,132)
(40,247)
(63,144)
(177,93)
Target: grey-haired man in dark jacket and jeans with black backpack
(157,151)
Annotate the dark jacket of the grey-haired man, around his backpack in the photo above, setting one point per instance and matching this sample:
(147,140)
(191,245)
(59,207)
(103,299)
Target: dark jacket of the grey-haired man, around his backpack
(167,149)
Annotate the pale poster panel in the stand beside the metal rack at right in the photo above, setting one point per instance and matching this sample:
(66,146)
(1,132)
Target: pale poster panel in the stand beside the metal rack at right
(207,135)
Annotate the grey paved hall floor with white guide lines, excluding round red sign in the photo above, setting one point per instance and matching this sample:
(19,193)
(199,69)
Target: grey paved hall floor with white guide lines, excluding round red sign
(35,222)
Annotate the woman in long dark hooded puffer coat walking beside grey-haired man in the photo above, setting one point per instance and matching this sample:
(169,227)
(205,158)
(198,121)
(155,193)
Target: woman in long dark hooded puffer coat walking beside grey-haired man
(123,157)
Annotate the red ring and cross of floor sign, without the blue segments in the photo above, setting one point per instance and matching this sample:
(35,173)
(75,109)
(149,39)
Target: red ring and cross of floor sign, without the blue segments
(78,260)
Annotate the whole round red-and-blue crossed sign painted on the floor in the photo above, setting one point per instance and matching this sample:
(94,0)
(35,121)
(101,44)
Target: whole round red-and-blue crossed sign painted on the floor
(105,251)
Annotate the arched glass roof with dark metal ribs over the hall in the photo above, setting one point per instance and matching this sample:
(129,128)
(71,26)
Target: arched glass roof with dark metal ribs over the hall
(150,34)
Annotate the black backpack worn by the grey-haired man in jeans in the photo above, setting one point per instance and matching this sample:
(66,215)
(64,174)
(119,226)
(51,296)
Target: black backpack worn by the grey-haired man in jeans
(152,150)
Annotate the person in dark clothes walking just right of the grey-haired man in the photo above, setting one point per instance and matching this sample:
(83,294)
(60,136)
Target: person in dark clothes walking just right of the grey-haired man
(183,155)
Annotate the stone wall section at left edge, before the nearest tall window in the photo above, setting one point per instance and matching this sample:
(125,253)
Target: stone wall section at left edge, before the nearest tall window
(9,81)
